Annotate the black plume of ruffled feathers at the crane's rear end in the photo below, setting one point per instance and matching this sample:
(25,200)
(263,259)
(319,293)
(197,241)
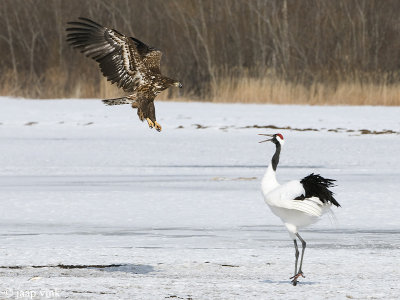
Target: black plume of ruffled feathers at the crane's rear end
(317,186)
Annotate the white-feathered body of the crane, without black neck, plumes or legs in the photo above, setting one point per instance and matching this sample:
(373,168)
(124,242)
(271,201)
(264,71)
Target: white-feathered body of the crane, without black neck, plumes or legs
(293,213)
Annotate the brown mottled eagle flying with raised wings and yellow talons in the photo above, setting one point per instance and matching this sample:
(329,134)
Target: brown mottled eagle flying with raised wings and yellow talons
(130,63)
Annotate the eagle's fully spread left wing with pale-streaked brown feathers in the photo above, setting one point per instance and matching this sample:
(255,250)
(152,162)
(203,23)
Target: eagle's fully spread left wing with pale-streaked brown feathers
(118,57)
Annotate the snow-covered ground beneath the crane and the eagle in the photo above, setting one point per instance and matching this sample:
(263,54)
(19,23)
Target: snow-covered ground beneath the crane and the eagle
(94,205)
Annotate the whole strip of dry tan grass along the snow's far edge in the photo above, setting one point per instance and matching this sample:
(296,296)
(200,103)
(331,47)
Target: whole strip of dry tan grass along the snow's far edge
(241,89)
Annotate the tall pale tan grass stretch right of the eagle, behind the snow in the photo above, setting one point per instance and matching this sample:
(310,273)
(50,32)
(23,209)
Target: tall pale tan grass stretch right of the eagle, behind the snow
(267,90)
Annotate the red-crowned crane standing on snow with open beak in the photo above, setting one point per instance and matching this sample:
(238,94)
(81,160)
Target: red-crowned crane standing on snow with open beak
(297,203)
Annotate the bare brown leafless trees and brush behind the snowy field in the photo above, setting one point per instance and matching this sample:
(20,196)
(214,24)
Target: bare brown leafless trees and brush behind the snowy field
(303,43)
